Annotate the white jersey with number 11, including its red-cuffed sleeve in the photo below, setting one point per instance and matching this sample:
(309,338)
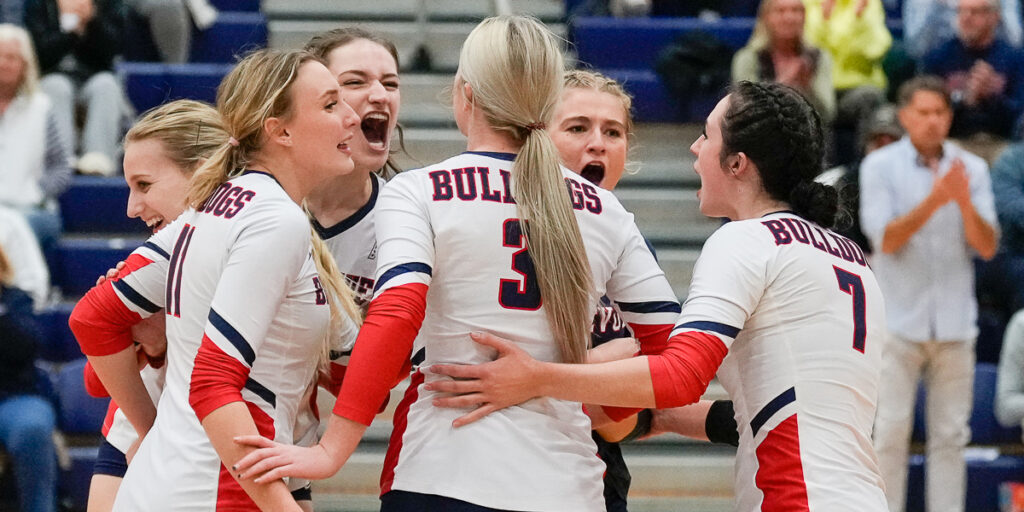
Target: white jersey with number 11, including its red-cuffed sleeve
(241,283)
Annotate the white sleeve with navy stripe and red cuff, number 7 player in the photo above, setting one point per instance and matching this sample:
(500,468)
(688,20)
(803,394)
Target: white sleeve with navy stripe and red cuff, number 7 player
(730,279)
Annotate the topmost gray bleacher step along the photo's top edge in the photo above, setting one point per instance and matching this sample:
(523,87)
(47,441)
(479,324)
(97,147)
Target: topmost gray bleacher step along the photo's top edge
(440,11)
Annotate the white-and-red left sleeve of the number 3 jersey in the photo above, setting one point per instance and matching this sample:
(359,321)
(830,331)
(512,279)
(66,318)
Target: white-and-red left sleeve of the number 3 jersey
(406,260)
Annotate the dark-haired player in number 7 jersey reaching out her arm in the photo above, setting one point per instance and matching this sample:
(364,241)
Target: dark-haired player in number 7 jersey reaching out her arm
(794,306)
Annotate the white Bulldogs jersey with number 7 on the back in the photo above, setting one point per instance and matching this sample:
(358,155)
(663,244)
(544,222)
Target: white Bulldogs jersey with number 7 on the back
(804,321)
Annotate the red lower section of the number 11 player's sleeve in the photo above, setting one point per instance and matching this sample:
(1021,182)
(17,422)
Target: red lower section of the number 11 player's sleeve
(217,381)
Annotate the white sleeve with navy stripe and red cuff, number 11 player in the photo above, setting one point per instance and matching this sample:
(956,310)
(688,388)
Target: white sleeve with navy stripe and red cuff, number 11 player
(272,243)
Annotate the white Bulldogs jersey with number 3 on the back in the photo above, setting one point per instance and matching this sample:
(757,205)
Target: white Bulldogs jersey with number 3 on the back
(454,227)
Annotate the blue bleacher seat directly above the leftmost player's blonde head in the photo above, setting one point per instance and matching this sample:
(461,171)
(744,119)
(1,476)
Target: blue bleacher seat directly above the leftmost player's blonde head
(151,84)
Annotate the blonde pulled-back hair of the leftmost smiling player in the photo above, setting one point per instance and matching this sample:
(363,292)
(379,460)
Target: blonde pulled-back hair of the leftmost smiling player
(190,132)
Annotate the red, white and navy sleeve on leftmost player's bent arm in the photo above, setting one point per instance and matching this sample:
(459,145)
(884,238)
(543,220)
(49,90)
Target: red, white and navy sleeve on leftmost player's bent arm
(103,319)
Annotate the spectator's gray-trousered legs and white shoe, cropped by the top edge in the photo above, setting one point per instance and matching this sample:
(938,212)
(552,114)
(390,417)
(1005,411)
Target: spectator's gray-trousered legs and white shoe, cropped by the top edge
(172,23)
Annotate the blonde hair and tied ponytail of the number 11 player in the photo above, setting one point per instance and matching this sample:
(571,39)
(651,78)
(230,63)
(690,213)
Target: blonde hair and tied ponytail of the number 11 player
(258,89)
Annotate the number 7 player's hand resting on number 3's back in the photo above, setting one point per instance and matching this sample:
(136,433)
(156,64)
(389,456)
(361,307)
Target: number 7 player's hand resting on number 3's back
(508,380)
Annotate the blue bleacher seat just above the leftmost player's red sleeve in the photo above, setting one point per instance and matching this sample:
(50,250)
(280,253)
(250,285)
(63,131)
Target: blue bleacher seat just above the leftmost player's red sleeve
(80,262)
